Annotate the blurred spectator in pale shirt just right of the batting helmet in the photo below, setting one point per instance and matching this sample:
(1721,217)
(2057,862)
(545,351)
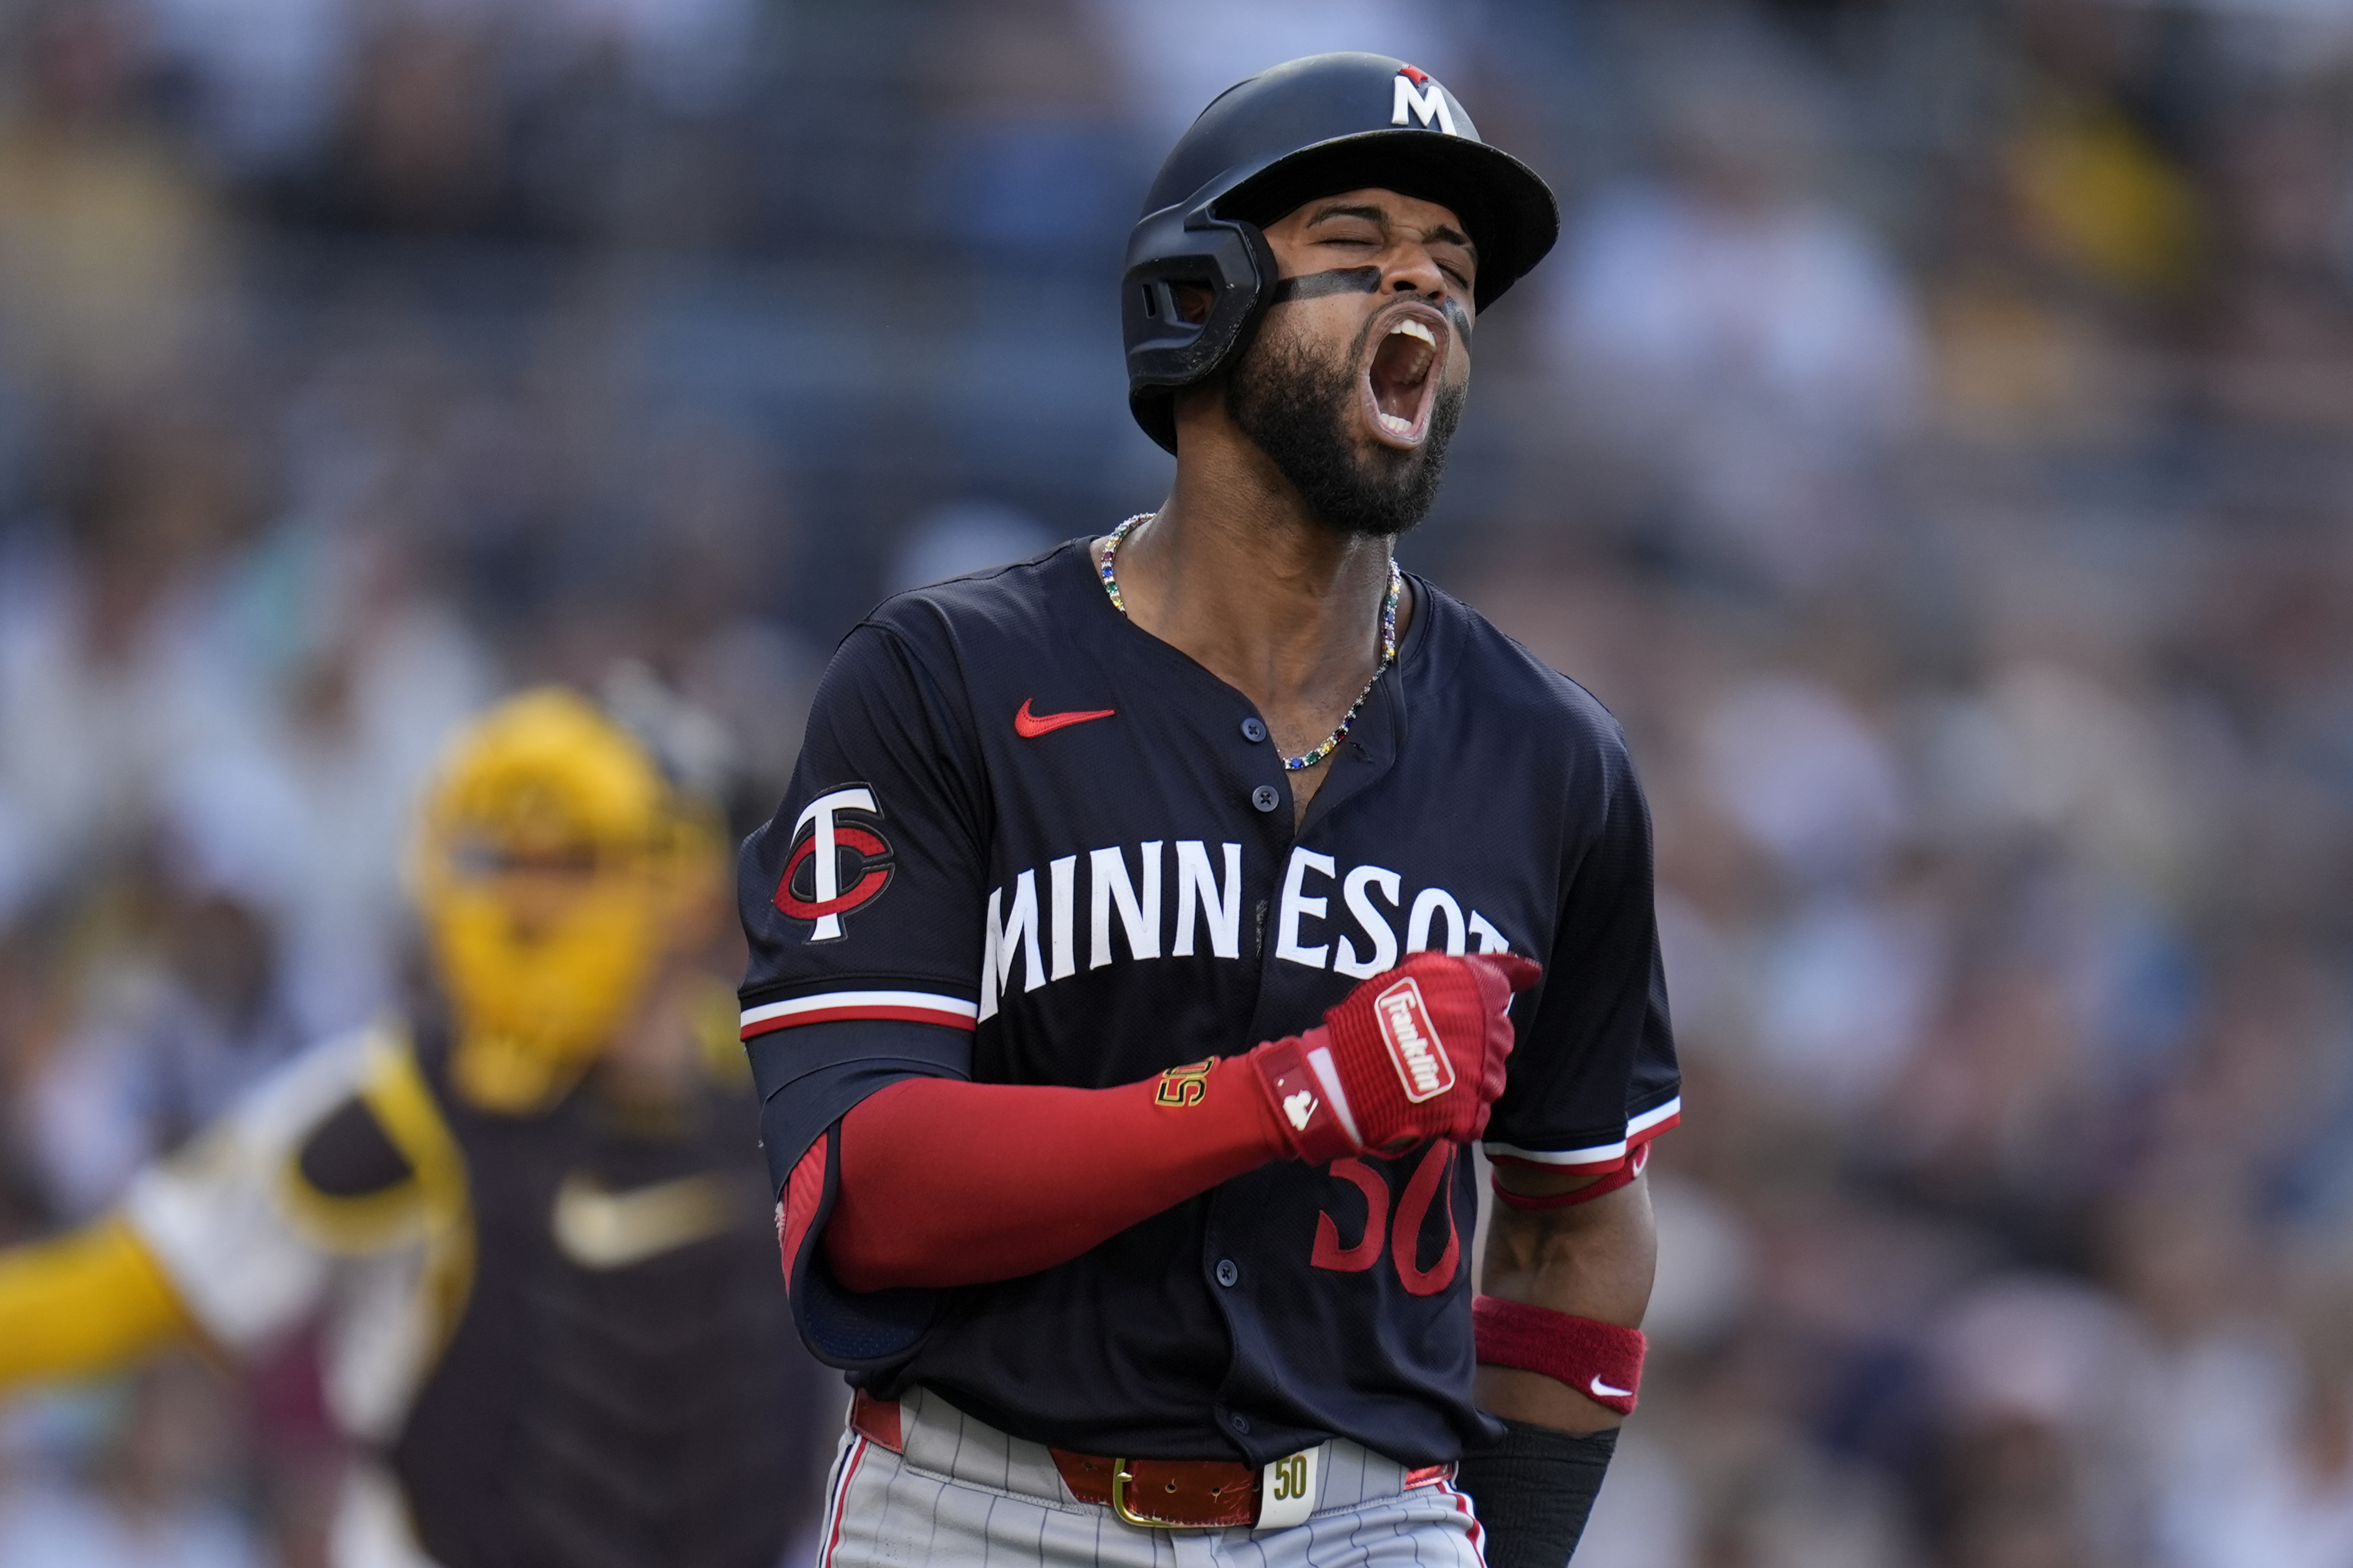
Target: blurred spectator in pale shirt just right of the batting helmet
(1738,349)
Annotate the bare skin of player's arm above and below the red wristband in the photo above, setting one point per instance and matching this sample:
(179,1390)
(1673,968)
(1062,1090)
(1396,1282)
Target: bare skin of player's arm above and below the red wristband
(1594,1261)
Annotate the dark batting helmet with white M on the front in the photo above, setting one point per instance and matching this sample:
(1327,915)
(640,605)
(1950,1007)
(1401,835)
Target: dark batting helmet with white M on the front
(1265,147)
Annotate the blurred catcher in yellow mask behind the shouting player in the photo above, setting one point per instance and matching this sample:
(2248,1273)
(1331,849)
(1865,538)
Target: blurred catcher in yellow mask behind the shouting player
(531,1219)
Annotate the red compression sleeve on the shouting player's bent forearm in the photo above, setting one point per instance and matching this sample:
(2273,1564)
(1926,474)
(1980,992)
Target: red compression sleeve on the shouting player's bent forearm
(952,1184)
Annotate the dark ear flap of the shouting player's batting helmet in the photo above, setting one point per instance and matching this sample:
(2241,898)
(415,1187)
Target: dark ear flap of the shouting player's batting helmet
(1166,351)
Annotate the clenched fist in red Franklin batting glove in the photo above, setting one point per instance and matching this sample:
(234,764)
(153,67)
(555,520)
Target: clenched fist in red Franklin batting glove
(1415,1052)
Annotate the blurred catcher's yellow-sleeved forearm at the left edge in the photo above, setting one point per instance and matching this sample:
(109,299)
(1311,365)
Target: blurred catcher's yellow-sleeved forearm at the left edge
(84,1304)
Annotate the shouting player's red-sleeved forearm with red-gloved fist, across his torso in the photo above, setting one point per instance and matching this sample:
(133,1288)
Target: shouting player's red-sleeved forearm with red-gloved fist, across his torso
(949,1184)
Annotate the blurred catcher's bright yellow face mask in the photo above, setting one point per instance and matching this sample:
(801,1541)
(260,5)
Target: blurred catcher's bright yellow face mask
(554,871)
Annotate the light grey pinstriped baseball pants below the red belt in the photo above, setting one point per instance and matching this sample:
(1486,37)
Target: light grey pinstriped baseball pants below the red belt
(971,1494)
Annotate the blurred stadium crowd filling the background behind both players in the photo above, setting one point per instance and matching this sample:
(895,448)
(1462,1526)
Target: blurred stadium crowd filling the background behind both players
(1933,441)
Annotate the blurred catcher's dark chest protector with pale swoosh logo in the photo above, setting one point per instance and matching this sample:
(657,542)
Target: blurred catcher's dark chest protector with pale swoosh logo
(618,1388)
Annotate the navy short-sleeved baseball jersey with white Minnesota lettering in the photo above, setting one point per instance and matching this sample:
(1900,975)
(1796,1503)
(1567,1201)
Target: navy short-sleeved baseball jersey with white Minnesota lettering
(1034,845)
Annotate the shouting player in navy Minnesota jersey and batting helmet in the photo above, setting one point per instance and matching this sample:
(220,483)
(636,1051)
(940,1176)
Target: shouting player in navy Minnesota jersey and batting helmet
(1154,925)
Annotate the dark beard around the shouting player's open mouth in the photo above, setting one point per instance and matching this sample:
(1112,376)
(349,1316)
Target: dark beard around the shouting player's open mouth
(1298,408)
